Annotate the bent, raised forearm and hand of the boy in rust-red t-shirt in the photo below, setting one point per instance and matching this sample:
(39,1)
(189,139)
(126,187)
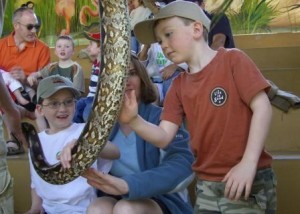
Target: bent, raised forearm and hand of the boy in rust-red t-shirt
(160,136)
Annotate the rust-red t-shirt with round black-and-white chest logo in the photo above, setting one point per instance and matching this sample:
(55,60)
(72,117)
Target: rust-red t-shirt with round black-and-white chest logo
(215,102)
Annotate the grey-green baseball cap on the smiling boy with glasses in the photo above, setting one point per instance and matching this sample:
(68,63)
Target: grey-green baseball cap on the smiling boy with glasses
(50,85)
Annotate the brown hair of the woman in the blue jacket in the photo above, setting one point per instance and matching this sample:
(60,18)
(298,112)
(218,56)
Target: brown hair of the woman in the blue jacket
(148,92)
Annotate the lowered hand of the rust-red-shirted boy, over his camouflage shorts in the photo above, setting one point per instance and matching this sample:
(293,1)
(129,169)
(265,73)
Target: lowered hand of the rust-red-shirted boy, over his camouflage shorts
(239,180)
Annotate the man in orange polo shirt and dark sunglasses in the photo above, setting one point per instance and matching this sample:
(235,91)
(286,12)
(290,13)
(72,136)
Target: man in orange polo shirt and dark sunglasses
(21,53)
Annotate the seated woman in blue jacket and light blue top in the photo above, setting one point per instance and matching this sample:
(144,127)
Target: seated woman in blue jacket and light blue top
(145,179)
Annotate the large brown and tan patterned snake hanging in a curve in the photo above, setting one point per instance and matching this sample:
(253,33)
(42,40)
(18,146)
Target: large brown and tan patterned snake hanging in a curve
(107,101)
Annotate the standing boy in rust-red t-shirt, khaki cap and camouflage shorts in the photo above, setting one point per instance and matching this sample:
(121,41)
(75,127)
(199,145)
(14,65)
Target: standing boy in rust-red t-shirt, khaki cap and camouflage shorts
(222,96)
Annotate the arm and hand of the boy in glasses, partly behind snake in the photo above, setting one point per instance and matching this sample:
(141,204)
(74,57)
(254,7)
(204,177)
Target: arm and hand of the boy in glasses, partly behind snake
(110,152)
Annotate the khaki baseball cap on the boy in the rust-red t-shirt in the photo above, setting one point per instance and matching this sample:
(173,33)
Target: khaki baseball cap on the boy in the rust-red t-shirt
(144,31)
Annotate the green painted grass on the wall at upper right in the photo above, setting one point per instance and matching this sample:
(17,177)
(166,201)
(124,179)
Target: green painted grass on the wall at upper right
(254,16)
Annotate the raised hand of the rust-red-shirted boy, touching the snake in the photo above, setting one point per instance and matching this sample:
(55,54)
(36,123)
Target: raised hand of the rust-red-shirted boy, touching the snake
(129,109)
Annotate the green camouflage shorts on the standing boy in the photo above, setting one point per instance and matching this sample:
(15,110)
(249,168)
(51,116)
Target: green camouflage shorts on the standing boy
(262,199)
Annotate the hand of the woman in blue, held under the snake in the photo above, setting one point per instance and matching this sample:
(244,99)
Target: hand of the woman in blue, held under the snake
(105,182)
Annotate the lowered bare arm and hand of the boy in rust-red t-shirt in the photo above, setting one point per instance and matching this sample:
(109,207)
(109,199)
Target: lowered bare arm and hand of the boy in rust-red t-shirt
(240,178)
